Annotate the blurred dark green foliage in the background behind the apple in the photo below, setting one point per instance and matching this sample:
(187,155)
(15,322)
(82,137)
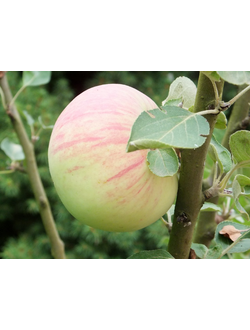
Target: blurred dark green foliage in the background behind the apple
(22,235)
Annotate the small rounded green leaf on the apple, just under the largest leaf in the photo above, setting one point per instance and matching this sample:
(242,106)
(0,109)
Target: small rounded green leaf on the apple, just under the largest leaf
(163,162)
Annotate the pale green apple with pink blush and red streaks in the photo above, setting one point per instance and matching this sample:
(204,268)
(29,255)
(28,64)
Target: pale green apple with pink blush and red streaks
(97,181)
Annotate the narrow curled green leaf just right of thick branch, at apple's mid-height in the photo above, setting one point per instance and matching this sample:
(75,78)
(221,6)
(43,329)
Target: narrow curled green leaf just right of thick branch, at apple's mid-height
(221,155)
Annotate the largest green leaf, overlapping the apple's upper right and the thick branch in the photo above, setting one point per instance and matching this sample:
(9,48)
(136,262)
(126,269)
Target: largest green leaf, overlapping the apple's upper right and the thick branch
(175,127)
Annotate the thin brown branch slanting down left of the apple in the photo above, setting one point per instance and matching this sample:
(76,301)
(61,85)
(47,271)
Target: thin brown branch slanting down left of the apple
(57,246)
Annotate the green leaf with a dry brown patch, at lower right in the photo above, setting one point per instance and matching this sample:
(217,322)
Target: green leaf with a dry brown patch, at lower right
(240,245)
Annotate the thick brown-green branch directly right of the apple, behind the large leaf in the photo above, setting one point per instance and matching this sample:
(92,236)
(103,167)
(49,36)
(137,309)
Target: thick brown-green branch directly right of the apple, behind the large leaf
(190,197)
